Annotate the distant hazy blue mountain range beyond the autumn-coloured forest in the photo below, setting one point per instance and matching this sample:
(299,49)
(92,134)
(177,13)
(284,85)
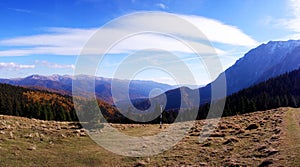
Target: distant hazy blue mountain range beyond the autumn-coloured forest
(63,84)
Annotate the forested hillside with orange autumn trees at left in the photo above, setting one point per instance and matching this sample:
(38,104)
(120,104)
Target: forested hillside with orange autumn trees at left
(45,105)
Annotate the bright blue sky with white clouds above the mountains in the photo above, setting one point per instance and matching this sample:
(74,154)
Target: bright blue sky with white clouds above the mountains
(46,37)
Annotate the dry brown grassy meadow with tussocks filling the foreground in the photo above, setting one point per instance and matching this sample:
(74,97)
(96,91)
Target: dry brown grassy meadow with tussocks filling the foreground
(260,138)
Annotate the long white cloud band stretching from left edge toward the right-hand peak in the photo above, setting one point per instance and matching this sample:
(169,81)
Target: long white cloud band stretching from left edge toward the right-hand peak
(70,41)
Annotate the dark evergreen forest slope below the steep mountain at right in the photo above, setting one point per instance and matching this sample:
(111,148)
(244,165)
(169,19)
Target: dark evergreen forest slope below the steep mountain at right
(281,91)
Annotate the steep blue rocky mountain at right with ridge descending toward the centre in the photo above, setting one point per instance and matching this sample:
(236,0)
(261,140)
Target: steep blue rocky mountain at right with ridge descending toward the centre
(259,64)
